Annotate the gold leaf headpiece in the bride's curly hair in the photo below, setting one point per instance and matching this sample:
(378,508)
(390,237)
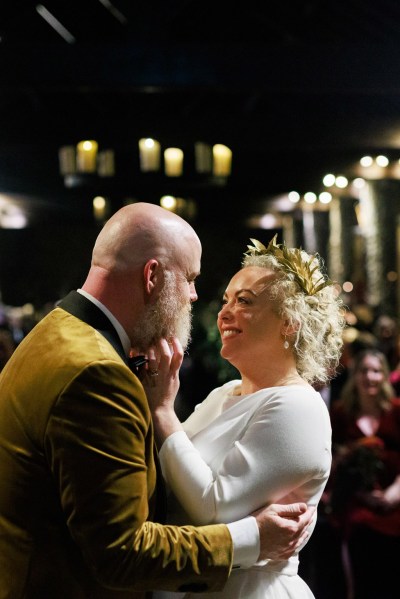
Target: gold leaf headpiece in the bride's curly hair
(292,262)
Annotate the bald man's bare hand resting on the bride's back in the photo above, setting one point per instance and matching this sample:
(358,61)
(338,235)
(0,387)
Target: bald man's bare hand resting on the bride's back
(283,528)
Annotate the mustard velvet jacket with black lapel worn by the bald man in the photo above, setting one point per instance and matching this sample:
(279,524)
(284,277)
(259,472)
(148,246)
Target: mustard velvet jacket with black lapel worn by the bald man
(78,485)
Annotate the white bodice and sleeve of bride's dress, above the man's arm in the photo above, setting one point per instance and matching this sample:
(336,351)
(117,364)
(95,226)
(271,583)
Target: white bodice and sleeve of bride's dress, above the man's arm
(272,446)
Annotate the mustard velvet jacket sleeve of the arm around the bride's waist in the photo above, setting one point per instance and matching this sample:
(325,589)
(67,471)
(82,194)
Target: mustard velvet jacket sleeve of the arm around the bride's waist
(99,444)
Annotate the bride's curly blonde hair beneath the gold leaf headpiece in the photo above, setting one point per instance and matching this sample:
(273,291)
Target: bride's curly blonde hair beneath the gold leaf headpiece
(317,319)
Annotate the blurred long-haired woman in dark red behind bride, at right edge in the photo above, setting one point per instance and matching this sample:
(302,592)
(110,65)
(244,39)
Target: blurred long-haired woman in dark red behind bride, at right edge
(365,479)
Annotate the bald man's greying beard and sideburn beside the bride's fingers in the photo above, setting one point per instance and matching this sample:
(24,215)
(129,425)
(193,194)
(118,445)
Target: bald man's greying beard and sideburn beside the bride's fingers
(170,316)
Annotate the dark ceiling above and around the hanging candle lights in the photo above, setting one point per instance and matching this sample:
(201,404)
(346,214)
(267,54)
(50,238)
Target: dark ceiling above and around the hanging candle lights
(294,88)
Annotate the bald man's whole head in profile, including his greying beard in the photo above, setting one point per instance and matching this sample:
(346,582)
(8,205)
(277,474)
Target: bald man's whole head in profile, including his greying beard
(144,265)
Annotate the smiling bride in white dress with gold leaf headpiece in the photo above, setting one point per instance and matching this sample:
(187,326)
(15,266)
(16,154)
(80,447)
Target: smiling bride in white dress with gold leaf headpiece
(265,437)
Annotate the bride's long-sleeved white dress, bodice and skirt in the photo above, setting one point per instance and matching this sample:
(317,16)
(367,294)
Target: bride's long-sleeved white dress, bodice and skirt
(239,453)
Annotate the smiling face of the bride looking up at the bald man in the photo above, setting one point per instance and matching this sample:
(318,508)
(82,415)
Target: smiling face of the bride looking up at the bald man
(247,322)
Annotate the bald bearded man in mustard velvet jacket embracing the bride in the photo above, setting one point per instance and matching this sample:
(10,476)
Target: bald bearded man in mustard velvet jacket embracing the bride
(80,503)
